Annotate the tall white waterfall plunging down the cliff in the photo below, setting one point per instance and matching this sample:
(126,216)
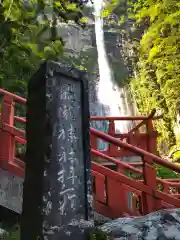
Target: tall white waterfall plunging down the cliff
(109,94)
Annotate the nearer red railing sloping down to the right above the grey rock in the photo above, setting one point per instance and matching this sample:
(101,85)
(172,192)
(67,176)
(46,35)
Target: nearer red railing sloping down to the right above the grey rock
(147,195)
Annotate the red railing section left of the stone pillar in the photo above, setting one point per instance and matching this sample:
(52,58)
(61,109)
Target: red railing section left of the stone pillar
(9,134)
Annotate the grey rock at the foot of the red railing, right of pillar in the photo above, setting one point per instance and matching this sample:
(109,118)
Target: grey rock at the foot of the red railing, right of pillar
(160,225)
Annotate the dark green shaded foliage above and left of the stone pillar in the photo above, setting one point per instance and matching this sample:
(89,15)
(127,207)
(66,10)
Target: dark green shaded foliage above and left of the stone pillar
(28,36)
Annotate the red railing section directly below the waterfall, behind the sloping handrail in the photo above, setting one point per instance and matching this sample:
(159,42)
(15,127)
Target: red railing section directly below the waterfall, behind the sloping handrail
(145,140)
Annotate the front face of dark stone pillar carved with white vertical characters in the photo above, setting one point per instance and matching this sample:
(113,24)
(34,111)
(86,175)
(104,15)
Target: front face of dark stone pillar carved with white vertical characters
(69,194)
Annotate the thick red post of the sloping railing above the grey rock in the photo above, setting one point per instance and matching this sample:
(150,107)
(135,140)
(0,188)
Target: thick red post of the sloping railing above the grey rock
(149,202)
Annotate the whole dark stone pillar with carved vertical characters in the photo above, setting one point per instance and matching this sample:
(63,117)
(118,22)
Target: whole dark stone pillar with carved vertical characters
(57,187)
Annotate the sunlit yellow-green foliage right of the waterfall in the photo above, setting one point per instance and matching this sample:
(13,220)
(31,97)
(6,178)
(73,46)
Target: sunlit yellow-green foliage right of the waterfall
(157,84)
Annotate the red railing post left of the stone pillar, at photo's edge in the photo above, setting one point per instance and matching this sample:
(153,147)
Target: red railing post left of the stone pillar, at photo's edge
(6,138)
